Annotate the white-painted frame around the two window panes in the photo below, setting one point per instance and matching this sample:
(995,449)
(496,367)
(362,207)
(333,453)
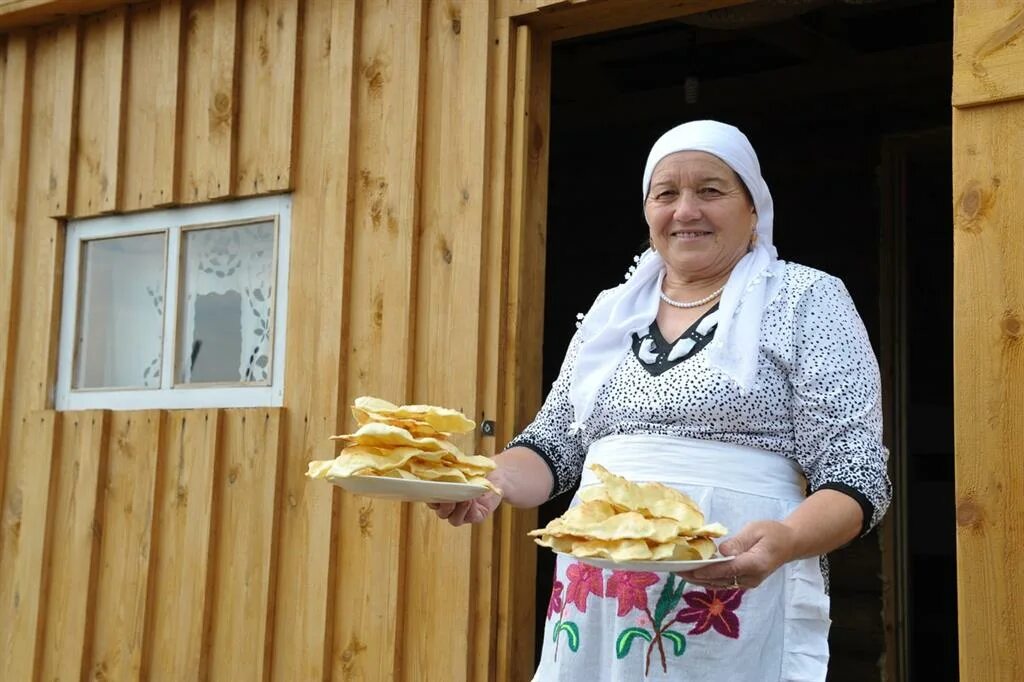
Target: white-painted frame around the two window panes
(174,223)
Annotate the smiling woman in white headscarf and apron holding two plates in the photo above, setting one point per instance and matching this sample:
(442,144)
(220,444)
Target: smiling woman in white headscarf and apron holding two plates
(743,380)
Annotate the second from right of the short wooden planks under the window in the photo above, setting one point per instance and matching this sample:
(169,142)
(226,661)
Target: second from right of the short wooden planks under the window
(181,603)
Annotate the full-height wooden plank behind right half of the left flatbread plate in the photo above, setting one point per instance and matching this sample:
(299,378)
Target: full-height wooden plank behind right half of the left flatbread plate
(439,586)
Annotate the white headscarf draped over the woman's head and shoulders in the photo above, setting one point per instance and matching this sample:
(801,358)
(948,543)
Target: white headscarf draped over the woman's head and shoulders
(631,308)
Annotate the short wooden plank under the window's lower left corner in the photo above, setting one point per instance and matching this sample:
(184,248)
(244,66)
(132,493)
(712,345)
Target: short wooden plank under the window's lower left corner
(74,559)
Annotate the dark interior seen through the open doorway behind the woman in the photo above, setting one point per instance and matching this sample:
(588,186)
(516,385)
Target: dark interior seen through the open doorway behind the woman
(822,90)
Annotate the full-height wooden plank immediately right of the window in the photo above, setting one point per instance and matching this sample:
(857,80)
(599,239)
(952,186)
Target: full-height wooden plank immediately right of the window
(319,300)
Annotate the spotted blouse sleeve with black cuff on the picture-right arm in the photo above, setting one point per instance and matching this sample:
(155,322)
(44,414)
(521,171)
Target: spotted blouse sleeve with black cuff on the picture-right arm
(838,401)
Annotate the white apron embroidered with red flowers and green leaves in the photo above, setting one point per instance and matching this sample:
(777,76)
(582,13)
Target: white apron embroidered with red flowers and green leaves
(606,626)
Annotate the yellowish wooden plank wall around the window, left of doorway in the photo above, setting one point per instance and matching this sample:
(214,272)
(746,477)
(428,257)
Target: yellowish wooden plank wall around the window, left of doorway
(190,545)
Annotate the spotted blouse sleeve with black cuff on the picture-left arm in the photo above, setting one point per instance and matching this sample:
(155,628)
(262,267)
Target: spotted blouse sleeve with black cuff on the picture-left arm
(548,435)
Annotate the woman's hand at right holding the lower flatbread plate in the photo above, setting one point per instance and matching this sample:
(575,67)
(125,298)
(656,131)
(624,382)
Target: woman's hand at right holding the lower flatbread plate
(760,548)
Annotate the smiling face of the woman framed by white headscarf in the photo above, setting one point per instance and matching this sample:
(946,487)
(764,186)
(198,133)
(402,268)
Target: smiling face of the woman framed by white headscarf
(700,216)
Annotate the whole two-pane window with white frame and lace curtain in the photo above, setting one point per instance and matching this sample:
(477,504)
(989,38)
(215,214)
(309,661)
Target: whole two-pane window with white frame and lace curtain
(177,309)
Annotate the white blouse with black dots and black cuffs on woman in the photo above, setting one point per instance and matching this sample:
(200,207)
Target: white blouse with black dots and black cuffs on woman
(817,398)
